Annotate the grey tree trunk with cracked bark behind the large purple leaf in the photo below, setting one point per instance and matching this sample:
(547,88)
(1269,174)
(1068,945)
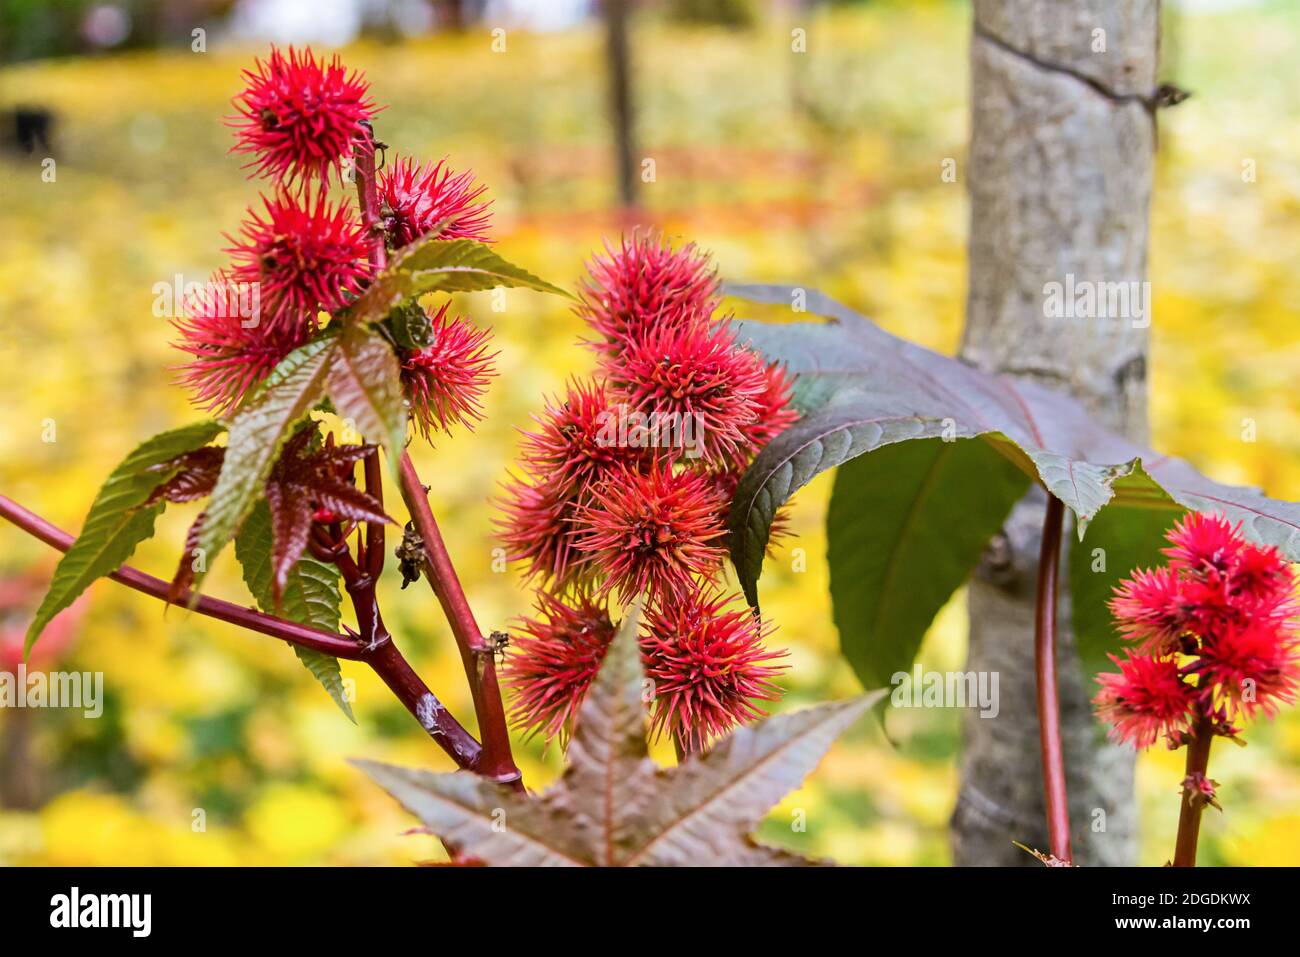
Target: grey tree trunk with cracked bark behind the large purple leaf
(1063,146)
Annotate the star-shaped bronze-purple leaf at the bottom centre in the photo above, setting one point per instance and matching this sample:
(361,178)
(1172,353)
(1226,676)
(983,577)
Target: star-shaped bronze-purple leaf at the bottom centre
(614,807)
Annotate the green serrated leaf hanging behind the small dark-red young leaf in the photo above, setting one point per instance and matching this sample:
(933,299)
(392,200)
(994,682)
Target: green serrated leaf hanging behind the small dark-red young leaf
(311,597)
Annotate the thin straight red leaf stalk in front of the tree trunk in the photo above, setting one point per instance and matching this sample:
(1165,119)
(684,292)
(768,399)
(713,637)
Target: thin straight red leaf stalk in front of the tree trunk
(1050,704)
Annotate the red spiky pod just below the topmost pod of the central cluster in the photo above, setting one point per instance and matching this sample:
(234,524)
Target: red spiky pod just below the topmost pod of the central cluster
(692,382)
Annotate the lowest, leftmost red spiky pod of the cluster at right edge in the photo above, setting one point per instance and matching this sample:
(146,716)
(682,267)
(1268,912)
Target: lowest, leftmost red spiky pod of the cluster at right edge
(1146,700)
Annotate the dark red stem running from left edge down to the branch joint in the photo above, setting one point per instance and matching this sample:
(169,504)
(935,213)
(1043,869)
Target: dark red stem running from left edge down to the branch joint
(383,657)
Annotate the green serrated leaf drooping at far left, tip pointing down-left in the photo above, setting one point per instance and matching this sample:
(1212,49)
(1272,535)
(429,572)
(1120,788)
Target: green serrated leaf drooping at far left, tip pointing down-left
(119,519)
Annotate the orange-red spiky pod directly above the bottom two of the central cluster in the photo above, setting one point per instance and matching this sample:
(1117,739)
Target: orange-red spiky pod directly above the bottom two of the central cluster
(652,532)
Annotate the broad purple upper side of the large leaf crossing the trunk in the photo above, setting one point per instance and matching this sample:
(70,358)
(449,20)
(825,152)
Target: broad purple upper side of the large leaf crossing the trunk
(861,388)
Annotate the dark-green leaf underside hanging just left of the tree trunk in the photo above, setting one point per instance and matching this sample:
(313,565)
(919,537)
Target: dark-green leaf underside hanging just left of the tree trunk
(905,529)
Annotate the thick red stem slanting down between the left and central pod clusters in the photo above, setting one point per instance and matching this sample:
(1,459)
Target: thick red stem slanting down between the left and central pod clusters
(499,763)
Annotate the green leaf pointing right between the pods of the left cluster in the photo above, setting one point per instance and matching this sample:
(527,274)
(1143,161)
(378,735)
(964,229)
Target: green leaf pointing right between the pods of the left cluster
(441,266)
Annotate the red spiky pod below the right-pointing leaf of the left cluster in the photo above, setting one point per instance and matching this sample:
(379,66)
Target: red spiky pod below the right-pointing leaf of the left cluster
(447,380)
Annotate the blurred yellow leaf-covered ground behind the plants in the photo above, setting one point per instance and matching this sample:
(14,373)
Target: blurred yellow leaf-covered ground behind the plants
(824,170)
